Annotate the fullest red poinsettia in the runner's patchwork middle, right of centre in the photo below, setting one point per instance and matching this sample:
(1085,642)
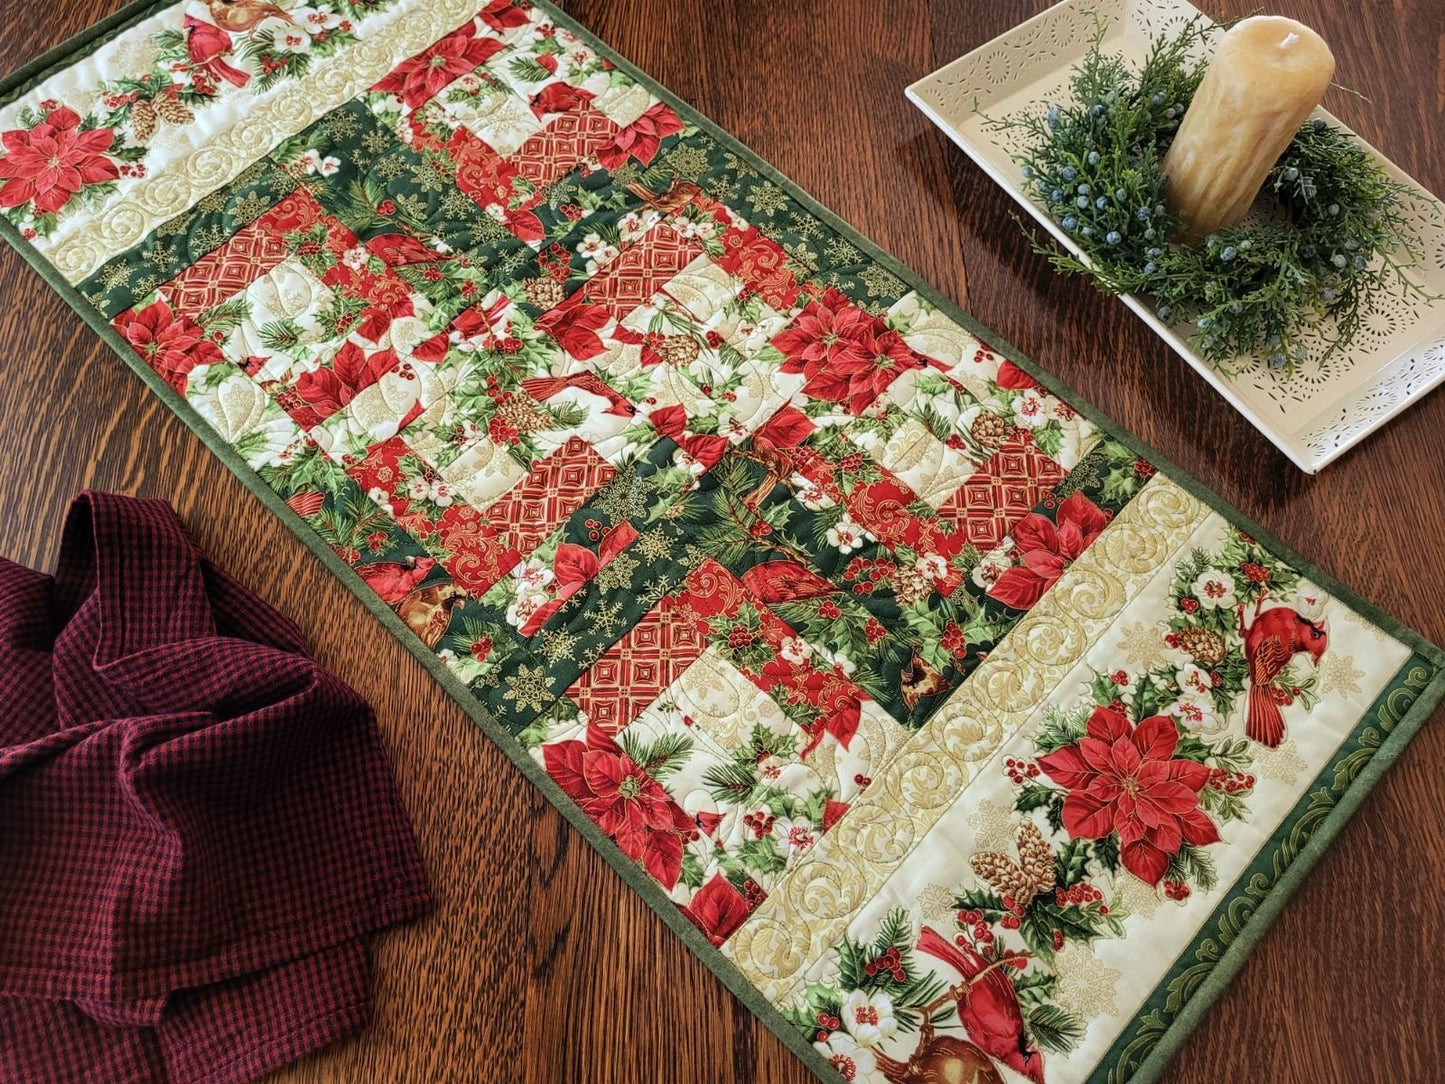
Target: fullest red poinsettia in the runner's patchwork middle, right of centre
(846,355)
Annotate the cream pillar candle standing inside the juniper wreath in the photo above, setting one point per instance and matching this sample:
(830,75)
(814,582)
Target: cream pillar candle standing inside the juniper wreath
(1264,82)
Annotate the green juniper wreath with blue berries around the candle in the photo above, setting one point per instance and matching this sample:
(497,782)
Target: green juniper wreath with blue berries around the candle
(1326,239)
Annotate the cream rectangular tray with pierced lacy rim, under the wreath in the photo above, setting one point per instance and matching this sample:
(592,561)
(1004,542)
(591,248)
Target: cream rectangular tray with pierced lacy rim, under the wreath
(1313,414)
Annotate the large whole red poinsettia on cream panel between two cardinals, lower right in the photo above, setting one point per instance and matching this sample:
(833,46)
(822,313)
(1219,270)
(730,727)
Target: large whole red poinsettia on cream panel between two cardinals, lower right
(1126,780)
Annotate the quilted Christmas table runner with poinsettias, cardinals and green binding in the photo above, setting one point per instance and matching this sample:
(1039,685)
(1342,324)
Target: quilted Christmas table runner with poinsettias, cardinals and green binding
(957,734)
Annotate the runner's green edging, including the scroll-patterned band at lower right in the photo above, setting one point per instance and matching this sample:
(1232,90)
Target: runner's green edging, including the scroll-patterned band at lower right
(1157,1034)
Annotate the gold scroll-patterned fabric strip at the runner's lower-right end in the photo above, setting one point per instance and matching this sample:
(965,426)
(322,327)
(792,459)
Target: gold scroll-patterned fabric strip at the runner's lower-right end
(810,911)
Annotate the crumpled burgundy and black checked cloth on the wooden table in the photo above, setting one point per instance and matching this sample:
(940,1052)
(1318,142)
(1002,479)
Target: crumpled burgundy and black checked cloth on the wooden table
(199,827)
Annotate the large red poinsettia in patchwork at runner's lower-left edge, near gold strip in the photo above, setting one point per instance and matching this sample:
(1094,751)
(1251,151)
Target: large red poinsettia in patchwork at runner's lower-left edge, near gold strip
(624,801)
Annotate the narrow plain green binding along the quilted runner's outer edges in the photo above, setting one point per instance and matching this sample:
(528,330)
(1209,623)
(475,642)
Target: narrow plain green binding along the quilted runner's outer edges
(1174,1036)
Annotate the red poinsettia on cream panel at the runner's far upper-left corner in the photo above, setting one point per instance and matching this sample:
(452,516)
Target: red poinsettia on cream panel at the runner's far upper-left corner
(54,161)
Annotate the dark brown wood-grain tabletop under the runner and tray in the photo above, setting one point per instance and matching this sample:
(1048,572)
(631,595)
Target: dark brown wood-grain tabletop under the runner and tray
(540,965)
